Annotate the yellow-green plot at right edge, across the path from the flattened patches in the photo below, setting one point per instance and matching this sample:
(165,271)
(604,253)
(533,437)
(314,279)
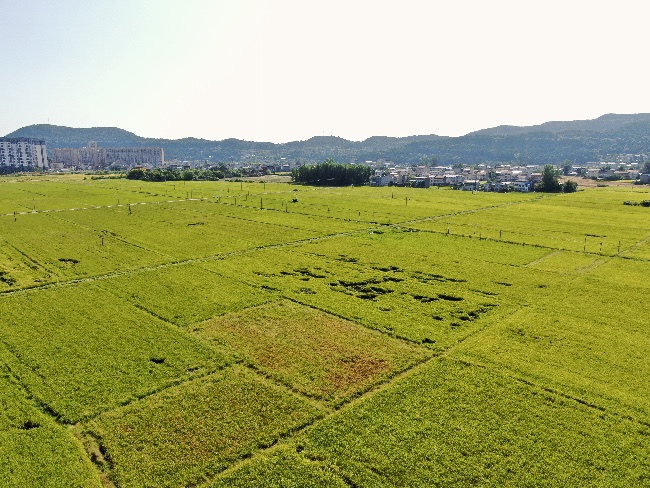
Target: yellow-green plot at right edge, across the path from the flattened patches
(587,338)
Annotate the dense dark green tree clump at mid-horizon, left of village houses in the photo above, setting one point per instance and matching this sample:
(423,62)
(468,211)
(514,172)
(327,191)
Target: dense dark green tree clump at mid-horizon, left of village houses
(330,173)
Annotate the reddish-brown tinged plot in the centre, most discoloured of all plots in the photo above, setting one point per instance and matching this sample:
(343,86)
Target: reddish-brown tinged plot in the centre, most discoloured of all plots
(315,353)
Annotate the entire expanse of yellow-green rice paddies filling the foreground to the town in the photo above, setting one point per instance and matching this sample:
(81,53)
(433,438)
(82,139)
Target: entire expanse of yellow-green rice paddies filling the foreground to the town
(214,334)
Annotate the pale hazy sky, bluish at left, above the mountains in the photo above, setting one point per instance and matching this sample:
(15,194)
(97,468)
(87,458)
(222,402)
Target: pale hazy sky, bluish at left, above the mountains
(283,70)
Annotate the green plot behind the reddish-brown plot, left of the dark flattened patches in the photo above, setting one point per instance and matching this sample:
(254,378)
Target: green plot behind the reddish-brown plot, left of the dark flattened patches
(185,294)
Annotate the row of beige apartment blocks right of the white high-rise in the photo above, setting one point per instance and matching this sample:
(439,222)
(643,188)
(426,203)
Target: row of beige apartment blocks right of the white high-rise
(94,157)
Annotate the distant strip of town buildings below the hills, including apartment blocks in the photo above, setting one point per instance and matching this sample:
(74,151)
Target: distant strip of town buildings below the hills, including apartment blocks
(31,155)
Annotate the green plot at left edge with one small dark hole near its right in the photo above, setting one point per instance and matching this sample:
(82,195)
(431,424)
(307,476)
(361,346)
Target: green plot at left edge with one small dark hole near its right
(81,351)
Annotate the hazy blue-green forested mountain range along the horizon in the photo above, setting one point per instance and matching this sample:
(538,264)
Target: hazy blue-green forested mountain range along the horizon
(579,141)
